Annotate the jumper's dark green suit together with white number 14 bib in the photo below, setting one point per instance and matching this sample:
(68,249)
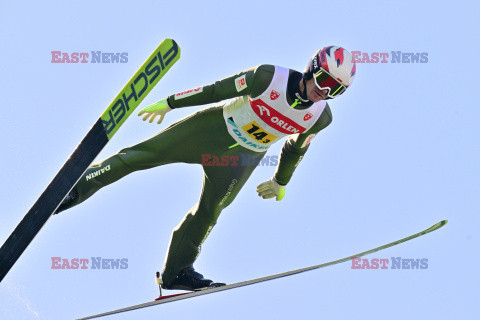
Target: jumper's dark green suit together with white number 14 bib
(264,109)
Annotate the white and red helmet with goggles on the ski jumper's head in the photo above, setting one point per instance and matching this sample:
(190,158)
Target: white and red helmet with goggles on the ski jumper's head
(333,68)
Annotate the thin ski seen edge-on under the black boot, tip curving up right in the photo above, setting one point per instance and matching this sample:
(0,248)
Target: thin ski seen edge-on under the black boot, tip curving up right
(181,296)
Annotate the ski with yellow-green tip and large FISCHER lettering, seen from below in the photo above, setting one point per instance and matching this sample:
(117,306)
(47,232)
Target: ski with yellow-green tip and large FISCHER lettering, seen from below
(152,70)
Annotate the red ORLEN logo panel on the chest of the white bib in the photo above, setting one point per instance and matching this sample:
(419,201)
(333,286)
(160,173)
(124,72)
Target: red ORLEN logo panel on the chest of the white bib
(274,118)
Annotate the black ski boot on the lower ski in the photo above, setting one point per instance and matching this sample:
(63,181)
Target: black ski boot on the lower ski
(189,279)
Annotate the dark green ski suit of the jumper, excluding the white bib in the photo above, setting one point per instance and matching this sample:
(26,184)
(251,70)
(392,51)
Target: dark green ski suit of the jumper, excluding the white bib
(189,140)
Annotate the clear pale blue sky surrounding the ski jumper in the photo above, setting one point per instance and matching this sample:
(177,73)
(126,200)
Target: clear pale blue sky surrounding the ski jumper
(401,154)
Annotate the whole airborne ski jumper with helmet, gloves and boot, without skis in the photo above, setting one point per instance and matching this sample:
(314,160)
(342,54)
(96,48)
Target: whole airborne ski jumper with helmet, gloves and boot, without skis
(267,103)
